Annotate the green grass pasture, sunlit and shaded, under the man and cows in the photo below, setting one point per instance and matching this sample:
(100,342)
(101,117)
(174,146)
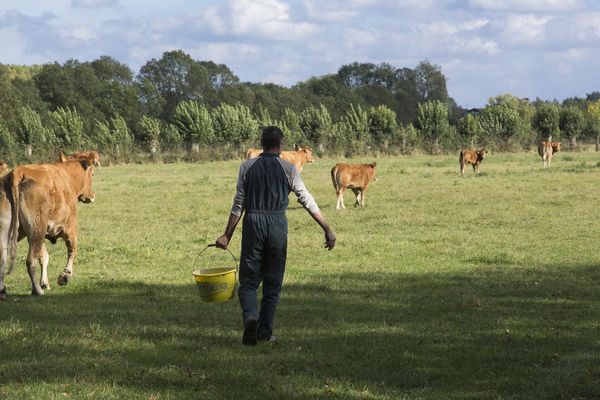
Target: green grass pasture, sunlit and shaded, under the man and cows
(443,287)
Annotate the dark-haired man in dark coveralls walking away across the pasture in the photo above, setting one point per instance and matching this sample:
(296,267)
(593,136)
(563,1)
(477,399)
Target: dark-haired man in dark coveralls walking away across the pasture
(263,186)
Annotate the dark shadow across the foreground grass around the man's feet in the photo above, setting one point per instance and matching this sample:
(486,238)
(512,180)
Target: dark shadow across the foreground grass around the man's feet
(530,333)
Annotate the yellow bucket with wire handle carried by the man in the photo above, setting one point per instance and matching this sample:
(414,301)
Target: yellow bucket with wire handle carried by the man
(216,284)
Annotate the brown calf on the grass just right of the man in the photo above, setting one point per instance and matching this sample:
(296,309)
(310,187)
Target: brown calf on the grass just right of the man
(354,176)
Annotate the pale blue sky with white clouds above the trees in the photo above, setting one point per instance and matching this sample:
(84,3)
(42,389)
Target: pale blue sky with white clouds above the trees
(548,49)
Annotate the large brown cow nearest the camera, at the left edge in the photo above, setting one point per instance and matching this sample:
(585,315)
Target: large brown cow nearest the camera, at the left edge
(39,201)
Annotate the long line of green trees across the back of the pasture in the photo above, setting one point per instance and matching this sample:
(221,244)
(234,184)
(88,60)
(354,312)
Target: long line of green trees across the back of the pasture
(177,107)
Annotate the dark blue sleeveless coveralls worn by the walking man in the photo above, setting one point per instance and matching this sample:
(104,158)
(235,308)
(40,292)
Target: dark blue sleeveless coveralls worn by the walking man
(264,240)
